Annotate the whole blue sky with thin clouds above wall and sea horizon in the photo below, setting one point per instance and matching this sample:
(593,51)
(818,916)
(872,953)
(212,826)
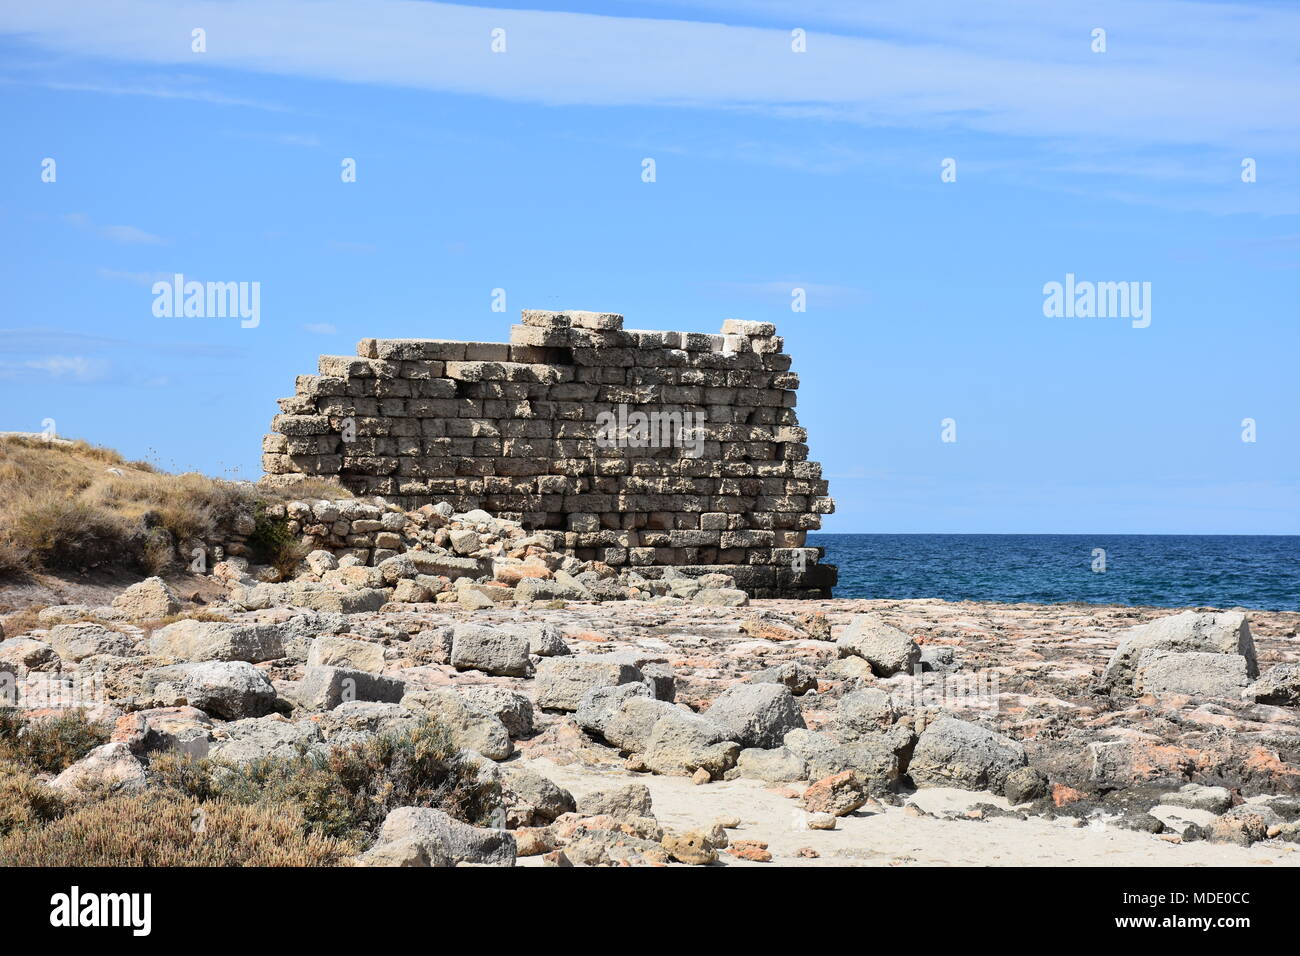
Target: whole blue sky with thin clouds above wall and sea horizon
(775,171)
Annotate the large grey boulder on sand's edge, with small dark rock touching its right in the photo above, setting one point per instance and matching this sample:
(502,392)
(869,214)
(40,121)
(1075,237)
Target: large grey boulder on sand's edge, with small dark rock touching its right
(959,754)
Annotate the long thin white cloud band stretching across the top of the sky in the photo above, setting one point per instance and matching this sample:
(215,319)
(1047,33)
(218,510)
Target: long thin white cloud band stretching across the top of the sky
(1176,73)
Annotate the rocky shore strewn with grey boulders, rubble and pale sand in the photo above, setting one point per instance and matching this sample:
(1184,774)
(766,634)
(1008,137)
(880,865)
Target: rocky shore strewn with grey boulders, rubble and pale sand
(679,724)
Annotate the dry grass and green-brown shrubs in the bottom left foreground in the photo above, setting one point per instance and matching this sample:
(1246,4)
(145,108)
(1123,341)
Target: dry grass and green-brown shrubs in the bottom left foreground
(313,810)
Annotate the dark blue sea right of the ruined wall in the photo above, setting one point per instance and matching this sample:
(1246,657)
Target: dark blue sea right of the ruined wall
(1158,570)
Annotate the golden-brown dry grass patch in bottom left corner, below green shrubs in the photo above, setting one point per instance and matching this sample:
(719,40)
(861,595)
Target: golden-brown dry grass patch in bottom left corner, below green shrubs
(167,829)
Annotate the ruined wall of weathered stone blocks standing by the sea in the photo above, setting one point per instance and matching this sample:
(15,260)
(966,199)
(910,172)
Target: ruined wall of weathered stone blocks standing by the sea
(648,449)
